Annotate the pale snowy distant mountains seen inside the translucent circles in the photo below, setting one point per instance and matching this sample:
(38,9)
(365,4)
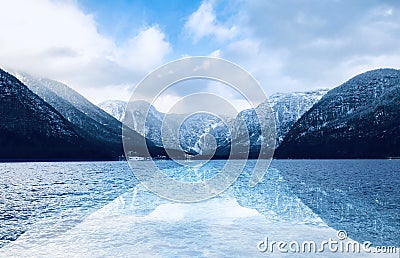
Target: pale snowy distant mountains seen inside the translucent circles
(200,133)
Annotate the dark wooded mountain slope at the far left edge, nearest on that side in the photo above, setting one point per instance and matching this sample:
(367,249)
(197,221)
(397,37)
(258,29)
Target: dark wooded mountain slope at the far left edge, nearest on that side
(31,129)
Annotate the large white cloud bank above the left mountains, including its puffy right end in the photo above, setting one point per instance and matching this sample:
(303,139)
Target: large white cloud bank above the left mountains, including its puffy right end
(56,39)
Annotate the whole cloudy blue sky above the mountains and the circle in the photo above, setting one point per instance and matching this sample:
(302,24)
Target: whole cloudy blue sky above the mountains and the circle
(103,49)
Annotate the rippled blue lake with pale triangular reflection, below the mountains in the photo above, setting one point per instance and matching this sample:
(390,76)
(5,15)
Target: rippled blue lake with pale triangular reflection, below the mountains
(94,209)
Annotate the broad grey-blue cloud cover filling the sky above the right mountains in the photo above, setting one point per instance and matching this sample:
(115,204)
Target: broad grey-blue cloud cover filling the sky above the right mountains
(288,46)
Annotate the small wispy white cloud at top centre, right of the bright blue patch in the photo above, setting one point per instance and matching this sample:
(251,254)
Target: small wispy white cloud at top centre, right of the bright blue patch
(203,23)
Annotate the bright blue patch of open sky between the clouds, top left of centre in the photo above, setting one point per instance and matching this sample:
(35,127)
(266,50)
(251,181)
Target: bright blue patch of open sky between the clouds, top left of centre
(122,18)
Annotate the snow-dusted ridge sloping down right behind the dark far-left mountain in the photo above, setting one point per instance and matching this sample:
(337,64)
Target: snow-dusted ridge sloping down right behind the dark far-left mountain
(98,129)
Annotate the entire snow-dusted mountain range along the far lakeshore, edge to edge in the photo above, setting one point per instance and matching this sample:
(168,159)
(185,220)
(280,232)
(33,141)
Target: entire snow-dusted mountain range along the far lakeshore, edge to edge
(43,119)
